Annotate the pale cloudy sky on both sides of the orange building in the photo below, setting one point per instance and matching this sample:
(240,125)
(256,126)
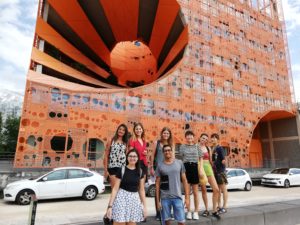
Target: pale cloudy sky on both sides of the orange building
(17,23)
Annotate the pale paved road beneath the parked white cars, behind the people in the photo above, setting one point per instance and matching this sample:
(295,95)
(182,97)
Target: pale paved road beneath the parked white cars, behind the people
(76,211)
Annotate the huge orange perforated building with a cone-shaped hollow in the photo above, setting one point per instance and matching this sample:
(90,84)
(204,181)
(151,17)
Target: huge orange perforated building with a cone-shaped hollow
(206,65)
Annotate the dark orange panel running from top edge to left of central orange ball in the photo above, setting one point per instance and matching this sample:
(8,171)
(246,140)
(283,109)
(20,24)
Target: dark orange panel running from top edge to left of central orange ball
(71,12)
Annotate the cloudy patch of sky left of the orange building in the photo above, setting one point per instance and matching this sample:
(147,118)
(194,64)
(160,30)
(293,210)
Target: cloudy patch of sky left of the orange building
(17,22)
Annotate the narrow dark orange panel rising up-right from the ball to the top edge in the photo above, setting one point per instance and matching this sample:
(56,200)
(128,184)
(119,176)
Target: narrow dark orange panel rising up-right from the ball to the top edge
(165,16)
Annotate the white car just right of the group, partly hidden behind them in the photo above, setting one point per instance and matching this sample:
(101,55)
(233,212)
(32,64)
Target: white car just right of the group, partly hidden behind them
(237,179)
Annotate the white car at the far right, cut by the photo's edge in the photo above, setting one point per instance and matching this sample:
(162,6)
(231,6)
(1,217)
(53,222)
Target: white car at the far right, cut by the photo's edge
(284,177)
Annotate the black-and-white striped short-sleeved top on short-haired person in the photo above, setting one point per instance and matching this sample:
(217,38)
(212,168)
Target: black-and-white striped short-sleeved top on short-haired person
(190,153)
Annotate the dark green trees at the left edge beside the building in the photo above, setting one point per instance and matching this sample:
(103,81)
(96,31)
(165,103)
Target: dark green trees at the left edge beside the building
(9,130)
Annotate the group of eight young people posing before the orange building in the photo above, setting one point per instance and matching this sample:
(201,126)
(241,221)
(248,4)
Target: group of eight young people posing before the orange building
(126,164)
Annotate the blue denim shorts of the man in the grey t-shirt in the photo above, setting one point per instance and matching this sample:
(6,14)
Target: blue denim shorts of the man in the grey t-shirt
(178,209)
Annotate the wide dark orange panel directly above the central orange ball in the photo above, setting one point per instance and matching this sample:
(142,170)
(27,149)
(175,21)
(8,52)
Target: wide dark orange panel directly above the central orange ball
(123,29)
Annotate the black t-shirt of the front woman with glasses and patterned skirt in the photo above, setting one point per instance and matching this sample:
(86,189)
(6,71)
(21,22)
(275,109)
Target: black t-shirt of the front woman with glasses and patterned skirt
(131,179)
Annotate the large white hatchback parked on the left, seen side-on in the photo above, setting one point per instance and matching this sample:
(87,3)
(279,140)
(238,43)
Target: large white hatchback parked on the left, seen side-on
(62,182)
